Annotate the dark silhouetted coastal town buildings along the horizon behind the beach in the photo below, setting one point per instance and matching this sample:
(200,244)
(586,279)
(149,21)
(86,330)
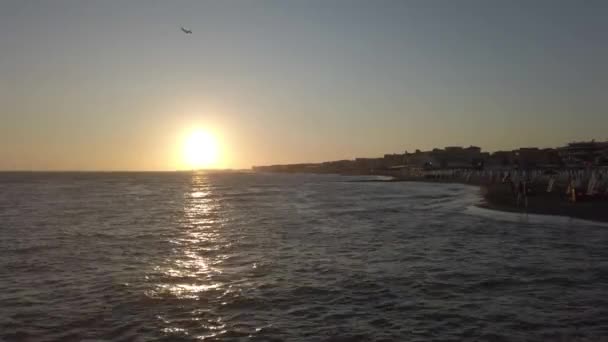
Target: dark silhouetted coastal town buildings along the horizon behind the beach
(575,155)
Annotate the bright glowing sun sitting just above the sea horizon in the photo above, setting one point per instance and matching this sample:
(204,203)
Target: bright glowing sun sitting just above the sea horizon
(200,150)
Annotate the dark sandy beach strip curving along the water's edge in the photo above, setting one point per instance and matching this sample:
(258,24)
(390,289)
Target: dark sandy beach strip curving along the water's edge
(498,196)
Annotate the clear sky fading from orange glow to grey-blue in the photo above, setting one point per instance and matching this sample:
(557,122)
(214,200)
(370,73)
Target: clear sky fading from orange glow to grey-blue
(116,85)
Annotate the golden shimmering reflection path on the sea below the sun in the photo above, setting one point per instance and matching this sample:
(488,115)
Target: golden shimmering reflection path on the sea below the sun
(193,271)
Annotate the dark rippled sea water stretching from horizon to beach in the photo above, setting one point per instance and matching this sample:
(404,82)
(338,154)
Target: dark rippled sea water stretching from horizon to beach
(259,257)
